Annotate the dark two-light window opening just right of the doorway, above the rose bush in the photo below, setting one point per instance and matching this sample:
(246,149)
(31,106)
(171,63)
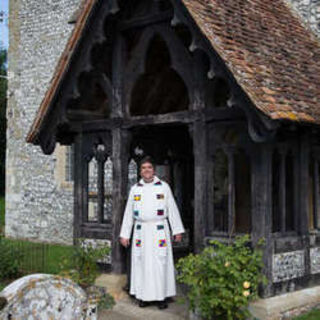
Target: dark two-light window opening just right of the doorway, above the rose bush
(231,191)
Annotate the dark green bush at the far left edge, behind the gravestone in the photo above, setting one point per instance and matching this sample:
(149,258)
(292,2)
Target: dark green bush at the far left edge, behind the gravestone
(10,258)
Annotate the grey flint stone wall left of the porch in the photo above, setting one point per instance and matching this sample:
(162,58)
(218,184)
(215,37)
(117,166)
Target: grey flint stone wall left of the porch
(36,207)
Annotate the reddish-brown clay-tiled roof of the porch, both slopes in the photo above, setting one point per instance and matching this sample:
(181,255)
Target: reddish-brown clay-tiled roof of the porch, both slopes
(273,56)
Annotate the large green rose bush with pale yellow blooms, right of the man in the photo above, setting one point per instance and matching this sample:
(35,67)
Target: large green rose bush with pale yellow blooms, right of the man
(223,278)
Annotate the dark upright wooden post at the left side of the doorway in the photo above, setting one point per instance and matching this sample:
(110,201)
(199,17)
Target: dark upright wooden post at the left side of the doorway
(120,143)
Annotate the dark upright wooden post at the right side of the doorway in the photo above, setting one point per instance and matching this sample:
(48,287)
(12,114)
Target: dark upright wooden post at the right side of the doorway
(200,182)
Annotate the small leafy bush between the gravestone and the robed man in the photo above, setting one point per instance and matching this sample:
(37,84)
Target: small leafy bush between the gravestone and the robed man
(82,267)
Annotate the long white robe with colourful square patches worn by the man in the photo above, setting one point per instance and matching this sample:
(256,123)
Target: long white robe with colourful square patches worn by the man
(152,265)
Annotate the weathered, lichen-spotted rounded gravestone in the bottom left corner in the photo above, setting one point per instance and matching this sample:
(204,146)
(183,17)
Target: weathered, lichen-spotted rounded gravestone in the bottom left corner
(45,296)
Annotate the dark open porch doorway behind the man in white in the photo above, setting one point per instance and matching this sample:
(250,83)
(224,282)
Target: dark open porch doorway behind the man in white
(171,147)
